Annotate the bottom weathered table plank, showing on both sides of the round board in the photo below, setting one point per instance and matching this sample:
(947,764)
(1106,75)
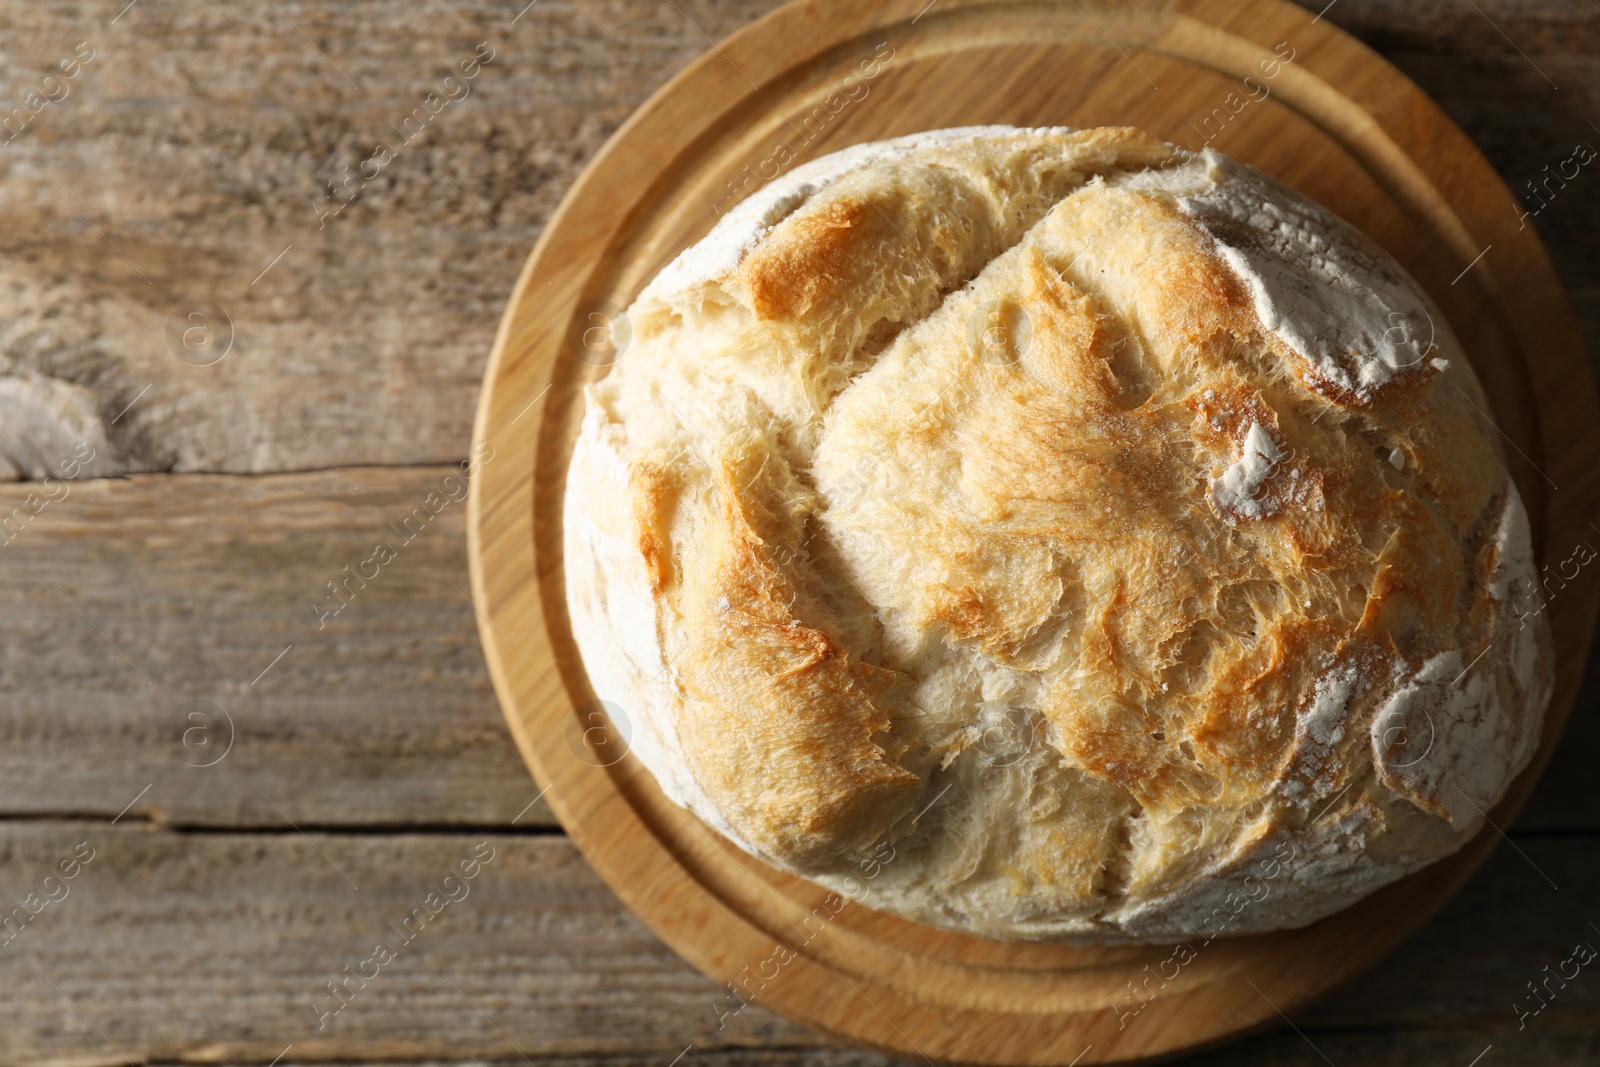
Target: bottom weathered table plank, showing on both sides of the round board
(217,946)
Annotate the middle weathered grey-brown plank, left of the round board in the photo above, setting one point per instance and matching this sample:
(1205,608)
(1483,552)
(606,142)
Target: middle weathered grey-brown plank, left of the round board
(190,588)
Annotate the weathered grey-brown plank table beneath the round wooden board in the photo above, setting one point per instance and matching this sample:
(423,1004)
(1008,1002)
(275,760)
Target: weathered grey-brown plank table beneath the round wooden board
(255,767)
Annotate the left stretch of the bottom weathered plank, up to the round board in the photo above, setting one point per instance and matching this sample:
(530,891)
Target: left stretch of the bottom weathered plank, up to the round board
(223,946)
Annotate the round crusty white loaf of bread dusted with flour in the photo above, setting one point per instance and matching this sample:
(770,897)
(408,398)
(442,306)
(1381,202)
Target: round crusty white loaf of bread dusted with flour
(1057,535)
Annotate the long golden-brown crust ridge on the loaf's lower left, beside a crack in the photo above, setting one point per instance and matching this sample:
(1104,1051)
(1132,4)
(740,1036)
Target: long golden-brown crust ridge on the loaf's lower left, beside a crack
(778,719)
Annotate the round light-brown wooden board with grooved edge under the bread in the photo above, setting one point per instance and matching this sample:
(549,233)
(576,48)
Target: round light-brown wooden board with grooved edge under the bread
(1334,121)
